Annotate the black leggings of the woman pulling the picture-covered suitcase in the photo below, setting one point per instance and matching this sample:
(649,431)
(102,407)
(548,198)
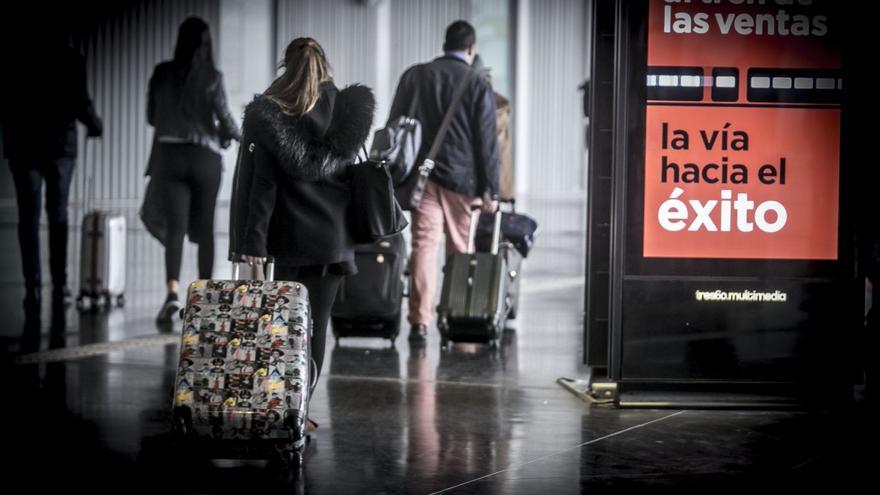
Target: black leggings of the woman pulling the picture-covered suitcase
(322,293)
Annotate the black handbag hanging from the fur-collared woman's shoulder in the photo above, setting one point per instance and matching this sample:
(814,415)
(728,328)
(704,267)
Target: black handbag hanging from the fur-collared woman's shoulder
(374,212)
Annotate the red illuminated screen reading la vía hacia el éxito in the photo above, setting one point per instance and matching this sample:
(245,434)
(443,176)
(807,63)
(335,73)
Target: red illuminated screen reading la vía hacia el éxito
(742,131)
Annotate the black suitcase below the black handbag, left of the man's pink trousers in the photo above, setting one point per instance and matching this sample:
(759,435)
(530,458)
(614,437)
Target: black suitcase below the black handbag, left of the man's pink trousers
(368,303)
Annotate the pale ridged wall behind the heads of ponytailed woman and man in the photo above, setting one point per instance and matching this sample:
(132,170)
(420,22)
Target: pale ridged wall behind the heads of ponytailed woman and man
(375,42)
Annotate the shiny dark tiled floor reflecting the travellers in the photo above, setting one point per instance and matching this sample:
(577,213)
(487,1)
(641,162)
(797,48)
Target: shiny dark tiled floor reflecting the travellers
(470,419)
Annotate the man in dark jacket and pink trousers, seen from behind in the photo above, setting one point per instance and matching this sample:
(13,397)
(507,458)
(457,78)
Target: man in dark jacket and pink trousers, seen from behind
(466,165)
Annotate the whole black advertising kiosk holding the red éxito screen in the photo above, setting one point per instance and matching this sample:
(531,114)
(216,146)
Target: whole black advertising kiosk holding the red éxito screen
(737,258)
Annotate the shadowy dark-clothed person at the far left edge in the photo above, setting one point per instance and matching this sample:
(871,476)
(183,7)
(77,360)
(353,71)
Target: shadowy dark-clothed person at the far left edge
(42,103)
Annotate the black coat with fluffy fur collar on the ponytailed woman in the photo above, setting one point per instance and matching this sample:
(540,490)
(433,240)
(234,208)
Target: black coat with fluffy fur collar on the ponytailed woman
(291,190)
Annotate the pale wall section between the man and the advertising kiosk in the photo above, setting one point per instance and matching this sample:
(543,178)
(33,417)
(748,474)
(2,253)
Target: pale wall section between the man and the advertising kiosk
(551,62)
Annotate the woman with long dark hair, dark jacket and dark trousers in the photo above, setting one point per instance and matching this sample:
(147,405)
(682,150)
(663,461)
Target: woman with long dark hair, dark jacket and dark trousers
(187,106)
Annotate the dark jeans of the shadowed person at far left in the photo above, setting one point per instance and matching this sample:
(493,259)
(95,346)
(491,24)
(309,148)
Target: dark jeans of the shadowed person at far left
(29,176)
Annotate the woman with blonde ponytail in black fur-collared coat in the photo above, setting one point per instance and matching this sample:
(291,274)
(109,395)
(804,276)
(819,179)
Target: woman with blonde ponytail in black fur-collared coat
(291,194)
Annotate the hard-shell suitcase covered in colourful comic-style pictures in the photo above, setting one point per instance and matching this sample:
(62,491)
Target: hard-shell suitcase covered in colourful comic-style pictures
(245,372)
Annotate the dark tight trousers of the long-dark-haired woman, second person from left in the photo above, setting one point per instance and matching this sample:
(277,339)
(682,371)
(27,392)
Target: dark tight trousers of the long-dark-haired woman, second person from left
(189,177)
